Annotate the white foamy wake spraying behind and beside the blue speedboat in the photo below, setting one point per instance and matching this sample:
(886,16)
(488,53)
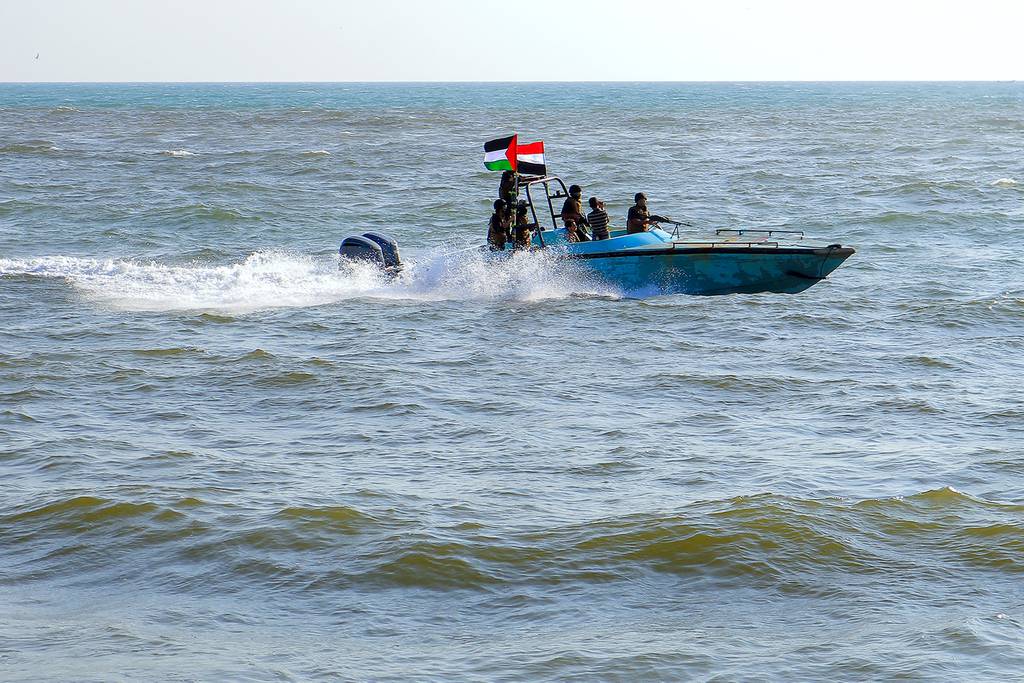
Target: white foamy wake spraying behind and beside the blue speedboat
(278,280)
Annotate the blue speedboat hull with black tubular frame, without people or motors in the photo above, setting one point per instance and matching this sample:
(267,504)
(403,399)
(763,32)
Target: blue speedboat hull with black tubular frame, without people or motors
(660,262)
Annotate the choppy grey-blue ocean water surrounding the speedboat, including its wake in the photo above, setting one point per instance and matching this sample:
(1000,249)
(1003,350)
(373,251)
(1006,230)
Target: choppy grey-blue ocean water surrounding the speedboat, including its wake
(227,457)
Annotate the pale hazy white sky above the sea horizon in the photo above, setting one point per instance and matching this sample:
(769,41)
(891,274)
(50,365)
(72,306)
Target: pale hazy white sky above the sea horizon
(483,40)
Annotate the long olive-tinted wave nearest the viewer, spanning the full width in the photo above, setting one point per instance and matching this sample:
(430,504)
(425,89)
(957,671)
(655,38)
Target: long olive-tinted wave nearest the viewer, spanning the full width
(761,539)
